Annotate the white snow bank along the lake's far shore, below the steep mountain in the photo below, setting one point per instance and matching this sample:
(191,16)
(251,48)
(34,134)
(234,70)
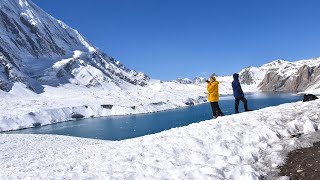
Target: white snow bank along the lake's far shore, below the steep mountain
(22,108)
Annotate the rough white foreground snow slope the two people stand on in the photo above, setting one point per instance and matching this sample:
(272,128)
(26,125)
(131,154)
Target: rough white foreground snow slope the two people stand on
(243,146)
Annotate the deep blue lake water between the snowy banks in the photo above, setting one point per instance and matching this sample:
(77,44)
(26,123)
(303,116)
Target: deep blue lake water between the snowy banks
(131,126)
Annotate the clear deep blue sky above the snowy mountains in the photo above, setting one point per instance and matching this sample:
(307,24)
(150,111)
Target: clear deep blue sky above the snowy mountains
(167,39)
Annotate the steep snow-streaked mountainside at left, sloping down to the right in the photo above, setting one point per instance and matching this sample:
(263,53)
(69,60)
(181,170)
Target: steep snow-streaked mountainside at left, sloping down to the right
(37,49)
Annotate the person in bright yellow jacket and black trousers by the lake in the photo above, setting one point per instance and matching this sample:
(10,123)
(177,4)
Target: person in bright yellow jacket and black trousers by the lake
(213,96)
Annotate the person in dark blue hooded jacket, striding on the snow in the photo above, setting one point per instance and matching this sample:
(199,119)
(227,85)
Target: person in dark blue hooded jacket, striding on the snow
(238,94)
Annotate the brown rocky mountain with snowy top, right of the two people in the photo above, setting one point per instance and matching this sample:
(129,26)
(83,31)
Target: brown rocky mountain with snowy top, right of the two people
(282,75)
